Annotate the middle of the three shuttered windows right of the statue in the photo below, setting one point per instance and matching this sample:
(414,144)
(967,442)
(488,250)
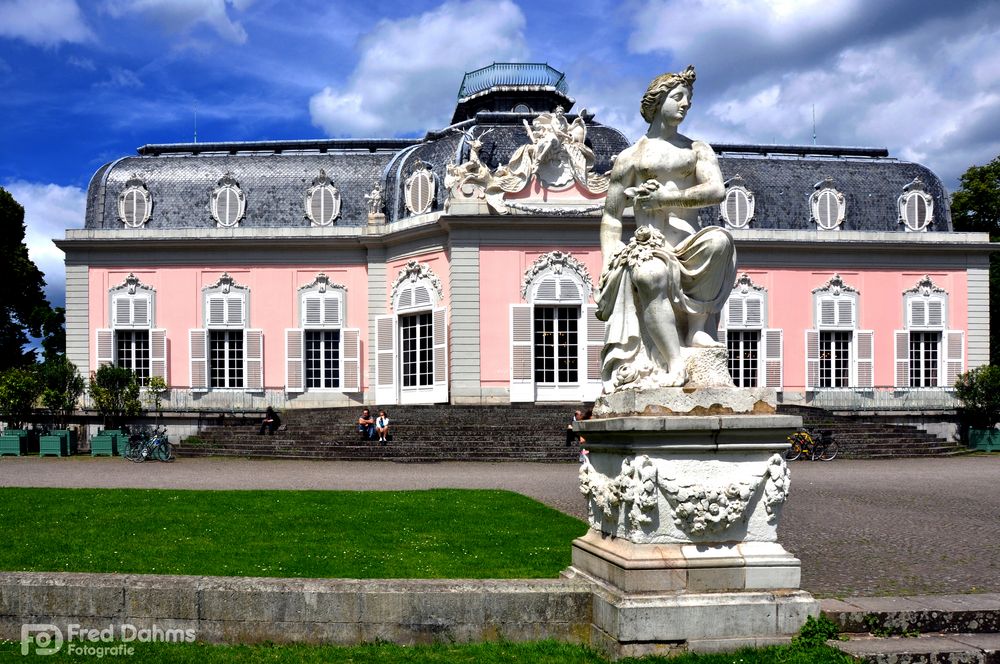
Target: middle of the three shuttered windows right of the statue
(838,355)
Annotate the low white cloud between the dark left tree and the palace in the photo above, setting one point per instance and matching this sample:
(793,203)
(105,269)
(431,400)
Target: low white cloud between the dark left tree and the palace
(49,209)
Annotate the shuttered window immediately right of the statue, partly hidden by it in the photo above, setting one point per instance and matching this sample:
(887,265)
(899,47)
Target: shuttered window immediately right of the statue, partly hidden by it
(755,351)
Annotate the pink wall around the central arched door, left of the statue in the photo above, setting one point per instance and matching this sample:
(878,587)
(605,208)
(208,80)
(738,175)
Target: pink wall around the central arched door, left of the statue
(501,270)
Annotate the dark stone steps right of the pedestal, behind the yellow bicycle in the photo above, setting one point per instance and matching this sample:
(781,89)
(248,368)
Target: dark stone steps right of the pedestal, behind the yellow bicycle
(870,437)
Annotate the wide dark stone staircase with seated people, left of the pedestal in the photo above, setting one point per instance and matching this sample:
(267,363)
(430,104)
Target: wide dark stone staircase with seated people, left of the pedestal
(522,432)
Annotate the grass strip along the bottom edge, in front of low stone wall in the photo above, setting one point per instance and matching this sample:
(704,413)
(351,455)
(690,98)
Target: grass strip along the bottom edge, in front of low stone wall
(545,652)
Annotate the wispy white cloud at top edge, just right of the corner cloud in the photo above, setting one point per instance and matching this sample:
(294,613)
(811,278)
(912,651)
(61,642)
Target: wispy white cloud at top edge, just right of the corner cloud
(183,15)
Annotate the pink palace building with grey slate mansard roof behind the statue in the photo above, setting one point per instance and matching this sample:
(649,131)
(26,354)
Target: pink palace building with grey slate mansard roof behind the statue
(460,267)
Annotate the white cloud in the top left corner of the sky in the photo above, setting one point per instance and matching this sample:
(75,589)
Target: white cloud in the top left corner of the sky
(44,22)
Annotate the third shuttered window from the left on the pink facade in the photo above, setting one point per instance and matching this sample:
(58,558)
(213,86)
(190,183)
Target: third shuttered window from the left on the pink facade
(322,353)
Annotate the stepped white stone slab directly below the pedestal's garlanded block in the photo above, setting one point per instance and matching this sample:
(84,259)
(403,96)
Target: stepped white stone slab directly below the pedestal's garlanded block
(630,567)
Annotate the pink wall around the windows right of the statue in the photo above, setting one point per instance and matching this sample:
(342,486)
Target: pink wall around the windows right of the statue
(880,308)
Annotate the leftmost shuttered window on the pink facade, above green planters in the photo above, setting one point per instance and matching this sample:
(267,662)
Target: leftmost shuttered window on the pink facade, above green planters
(133,341)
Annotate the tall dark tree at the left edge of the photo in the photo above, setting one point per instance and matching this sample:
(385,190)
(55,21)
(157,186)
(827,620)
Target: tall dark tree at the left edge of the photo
(23,307)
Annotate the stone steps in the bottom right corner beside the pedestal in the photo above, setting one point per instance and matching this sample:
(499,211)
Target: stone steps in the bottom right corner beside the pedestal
(946,629)
